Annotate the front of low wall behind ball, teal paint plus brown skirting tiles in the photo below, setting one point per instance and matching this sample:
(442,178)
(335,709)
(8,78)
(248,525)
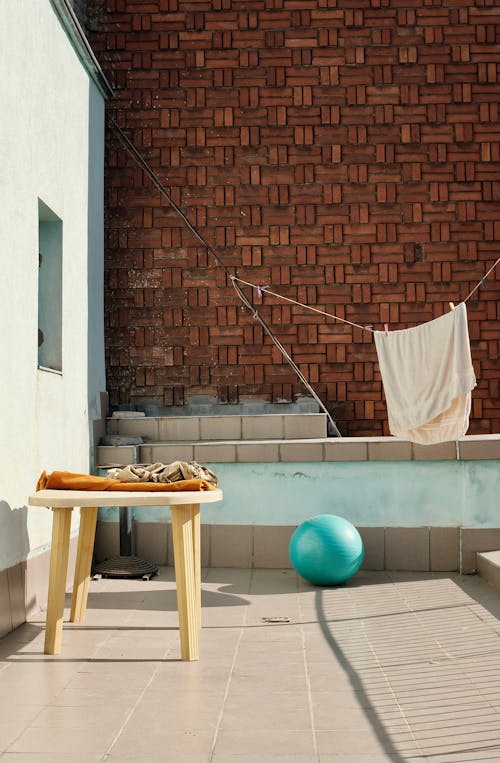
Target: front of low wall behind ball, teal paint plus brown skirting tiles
(412,515)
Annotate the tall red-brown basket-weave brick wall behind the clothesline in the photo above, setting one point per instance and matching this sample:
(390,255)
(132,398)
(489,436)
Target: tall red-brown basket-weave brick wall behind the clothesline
(345,153)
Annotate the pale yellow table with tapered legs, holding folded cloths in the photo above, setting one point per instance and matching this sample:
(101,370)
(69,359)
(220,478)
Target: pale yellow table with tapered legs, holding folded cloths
(185,508)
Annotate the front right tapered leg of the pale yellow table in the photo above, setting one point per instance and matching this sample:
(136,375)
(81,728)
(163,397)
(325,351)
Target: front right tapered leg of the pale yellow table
(182,535)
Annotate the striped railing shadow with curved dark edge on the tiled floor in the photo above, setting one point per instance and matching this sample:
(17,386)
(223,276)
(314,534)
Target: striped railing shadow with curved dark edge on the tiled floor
(422,654)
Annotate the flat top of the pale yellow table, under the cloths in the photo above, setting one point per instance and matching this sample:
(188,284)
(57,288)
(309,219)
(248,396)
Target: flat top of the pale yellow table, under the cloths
(66,498)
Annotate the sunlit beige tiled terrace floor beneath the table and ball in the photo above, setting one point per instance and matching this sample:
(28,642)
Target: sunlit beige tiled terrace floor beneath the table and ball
(390,667)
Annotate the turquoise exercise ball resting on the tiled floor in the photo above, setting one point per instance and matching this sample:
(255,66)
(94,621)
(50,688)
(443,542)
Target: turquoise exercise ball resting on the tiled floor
(326,550)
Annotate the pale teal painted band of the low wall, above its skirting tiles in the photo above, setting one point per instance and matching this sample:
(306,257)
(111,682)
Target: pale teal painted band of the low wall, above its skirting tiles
(369,494)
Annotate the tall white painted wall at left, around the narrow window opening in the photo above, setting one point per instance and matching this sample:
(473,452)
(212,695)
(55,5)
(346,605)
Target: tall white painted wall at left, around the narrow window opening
(46,97)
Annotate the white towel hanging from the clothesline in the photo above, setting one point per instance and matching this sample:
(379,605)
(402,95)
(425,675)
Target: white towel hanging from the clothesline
(428,377)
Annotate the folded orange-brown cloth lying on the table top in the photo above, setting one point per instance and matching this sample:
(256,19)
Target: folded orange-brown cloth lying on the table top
(71,481)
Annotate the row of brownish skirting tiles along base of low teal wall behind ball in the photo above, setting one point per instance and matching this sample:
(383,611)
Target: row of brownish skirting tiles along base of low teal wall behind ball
(416,549)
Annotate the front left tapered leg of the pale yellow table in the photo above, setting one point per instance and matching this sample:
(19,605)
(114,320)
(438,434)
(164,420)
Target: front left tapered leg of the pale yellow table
(61,525)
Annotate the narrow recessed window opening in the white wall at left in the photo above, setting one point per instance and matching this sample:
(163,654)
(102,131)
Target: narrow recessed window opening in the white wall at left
(49,289)
